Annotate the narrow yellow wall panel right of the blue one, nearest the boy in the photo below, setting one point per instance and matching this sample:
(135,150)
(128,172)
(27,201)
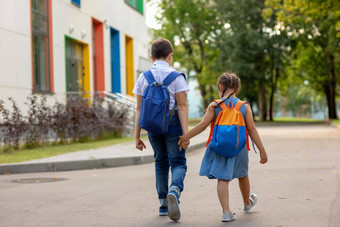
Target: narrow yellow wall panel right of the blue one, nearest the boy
(129,65)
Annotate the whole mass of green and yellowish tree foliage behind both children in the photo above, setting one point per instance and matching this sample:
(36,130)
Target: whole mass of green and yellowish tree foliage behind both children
(265,42)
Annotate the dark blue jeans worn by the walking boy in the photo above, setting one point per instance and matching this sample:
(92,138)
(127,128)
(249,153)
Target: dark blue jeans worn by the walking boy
(167,154)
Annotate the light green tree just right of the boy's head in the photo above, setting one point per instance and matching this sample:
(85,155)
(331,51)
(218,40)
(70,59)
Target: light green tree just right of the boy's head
(193,26)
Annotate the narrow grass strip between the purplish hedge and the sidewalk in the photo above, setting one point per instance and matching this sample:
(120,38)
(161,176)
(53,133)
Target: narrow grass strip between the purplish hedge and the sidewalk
(43,152)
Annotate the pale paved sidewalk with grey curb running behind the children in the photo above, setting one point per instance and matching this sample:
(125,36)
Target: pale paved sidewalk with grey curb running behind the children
(110,156)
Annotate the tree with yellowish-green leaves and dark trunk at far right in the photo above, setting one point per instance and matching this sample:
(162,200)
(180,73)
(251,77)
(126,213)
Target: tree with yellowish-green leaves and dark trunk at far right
(315,25)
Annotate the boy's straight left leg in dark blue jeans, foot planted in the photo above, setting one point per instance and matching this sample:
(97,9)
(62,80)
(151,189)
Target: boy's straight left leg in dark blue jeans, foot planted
(161,166)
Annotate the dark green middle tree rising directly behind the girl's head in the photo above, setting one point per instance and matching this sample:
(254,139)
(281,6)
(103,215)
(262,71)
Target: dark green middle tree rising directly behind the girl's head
(250,48)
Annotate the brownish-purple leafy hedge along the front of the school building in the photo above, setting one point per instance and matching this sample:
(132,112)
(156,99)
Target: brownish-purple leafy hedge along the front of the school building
(75,121)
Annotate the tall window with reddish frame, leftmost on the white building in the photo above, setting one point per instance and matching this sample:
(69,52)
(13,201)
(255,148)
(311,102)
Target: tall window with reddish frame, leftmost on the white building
(41,46)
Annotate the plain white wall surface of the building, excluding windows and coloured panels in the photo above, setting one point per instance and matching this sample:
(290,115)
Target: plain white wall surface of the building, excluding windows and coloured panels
(15,41)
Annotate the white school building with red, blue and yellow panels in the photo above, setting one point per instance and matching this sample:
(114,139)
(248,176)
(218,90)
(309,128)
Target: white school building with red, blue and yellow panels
(63,46)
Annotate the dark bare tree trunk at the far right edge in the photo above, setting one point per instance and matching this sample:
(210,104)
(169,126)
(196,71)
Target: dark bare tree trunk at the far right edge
(330,91)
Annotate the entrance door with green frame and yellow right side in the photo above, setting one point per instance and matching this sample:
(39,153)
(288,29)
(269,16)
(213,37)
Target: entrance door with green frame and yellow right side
(74,66)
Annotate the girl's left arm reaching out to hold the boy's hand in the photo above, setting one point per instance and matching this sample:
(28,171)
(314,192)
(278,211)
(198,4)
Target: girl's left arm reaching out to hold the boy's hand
(200,127)
